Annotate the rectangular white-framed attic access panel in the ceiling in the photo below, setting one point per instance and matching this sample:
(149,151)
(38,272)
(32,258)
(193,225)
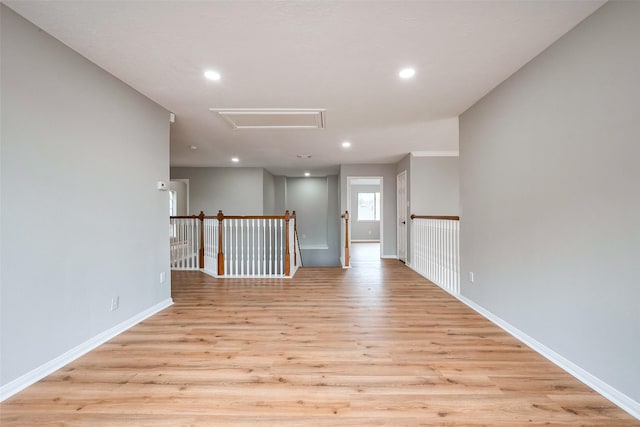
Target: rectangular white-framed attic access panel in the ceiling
(273,118)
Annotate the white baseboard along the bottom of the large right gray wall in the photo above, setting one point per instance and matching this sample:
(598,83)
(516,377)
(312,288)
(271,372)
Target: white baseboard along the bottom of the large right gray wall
(617,397)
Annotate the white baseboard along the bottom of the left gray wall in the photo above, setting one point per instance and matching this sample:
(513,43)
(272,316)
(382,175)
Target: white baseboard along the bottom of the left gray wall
(53,365)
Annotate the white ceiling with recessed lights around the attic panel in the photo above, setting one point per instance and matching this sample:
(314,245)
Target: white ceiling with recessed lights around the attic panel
(340,56)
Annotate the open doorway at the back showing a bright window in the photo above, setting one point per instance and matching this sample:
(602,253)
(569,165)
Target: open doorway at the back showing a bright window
(364,203)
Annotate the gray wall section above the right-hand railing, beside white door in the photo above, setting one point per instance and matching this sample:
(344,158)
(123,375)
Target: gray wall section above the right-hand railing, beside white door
(435,187)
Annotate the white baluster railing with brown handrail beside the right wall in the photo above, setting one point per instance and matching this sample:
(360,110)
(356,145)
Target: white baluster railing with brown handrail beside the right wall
(435,250)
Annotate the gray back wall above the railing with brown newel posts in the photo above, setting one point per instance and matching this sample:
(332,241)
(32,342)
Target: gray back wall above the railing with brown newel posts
(235,191)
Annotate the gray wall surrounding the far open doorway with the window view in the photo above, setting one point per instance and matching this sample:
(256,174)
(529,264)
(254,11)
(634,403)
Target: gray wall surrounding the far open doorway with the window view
(388,172)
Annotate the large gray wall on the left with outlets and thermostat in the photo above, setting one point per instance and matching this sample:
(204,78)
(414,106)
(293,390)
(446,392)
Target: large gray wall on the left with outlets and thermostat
(81,218)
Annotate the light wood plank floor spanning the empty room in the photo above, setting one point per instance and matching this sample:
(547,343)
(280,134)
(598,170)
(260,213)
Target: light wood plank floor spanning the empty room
(361,347)
